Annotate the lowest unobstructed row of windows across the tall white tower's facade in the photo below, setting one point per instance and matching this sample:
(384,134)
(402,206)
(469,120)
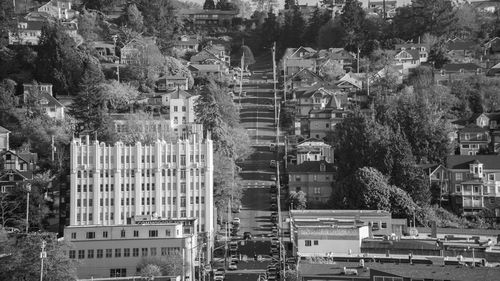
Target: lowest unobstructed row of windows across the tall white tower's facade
(144,201)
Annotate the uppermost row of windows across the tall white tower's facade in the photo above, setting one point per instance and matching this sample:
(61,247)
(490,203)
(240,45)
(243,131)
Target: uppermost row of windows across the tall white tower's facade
(146,158)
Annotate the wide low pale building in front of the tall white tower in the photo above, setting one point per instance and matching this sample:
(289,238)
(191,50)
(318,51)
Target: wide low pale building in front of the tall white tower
(117,250)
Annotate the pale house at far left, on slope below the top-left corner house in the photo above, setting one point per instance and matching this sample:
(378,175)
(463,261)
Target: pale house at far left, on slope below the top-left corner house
(28,32)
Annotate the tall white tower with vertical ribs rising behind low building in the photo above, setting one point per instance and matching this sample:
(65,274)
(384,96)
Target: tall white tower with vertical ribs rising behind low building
(111,185)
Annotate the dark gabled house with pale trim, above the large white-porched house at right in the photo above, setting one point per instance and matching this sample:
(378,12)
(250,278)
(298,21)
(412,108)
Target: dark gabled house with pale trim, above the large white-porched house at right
(473,139)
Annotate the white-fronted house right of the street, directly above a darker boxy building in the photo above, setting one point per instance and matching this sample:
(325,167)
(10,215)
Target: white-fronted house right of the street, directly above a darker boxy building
(313,149)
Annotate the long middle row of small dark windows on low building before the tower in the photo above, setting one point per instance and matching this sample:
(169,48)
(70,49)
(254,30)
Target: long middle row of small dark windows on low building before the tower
(125,252)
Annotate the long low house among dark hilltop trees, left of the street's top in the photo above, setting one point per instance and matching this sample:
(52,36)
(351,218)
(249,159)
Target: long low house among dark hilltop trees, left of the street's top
(207,18)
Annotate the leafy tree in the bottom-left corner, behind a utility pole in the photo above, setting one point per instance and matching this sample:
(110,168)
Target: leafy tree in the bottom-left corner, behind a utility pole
(24,259)
